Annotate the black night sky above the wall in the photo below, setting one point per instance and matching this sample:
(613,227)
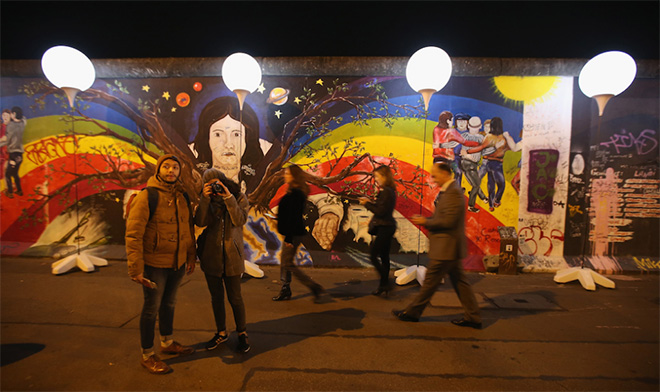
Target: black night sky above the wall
(124,29)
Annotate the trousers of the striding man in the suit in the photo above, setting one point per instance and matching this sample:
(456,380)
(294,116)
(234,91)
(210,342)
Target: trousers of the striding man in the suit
(436,270)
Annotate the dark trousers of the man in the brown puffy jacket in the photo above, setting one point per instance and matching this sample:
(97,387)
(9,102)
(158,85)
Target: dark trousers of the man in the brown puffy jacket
(159,302)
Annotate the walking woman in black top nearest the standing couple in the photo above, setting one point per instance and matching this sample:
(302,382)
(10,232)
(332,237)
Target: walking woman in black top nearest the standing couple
(291,225)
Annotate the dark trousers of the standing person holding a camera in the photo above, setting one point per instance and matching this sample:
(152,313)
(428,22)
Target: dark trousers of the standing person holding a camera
(233,285)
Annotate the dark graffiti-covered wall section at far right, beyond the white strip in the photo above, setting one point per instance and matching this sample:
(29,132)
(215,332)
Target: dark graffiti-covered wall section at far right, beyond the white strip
(614,208)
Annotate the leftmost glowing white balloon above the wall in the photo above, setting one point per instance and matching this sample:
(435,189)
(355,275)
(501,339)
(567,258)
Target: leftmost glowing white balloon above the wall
(65,66)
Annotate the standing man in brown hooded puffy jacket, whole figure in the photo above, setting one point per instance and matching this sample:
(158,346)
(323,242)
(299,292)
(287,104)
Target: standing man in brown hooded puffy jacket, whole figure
(160,248)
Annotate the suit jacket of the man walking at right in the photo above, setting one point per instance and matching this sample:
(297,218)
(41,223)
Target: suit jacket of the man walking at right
(447,226)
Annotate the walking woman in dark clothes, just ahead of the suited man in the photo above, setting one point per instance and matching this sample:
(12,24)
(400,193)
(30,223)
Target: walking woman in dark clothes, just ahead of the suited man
(382,225)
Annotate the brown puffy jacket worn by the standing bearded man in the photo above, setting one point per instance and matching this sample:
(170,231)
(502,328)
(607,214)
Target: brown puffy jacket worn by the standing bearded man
(165,241)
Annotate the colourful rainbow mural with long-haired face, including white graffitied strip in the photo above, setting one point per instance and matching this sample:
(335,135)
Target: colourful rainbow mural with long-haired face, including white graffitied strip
(507,138)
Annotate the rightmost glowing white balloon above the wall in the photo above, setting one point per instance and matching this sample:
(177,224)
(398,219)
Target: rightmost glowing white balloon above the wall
(609,73)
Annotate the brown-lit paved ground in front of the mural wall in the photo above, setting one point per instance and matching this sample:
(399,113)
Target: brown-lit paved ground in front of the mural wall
(79,331)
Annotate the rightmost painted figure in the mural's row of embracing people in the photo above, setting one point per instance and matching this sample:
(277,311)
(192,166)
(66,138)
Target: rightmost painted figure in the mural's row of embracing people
(494,160)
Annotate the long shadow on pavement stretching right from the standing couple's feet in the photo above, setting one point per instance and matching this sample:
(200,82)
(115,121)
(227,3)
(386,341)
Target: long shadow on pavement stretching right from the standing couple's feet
(270,335)
